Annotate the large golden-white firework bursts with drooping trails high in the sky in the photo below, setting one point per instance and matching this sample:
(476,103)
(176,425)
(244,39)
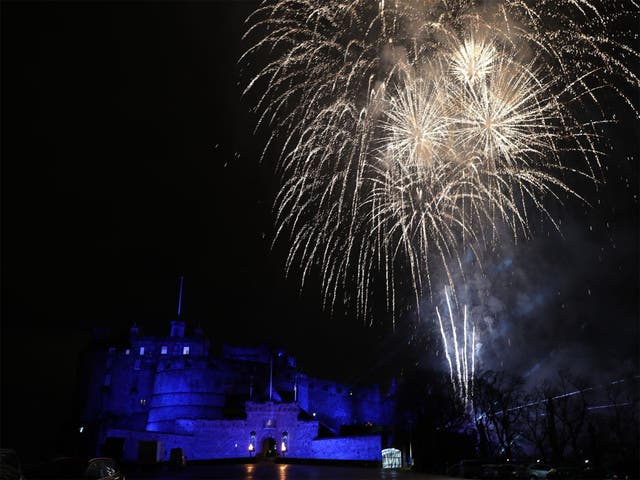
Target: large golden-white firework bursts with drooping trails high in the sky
(409,131)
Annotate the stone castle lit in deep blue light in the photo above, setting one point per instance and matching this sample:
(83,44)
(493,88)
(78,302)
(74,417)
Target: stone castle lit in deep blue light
(165,392)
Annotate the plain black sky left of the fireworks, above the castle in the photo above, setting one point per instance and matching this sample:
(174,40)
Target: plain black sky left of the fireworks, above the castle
(129,159)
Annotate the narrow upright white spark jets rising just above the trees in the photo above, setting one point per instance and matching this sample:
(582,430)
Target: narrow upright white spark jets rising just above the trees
(461,361)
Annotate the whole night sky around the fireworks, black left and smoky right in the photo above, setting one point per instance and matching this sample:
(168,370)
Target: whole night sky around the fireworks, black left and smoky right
(129,158)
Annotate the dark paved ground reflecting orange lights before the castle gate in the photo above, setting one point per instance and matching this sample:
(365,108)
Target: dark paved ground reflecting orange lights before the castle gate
(274,471)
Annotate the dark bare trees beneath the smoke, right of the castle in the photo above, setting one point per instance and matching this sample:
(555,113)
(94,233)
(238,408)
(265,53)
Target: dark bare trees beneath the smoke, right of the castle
(567,420)
